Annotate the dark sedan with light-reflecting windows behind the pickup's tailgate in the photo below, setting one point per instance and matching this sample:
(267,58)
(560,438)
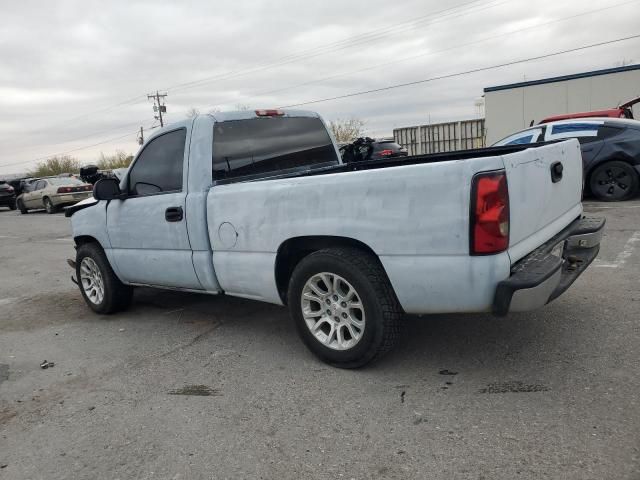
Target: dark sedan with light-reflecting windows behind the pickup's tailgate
(610,152)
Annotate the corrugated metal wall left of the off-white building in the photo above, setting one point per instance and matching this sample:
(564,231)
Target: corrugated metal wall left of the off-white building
(441,137)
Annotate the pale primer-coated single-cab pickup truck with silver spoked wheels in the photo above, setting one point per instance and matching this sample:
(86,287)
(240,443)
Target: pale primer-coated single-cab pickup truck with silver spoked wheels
(259,205)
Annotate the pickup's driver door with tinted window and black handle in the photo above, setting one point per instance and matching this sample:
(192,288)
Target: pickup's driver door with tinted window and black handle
(148,229)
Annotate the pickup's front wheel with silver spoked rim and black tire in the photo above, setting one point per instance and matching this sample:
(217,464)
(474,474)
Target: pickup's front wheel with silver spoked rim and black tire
(101,289)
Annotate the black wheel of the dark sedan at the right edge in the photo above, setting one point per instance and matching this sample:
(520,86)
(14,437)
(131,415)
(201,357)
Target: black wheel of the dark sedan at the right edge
(614,181)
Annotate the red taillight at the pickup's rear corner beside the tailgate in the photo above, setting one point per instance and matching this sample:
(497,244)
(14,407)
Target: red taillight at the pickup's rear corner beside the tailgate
(489,213)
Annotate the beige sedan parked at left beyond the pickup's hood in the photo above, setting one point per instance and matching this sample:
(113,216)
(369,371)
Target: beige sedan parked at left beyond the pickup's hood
(51,193)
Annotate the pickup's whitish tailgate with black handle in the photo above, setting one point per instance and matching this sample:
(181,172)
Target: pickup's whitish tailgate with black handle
(542,202)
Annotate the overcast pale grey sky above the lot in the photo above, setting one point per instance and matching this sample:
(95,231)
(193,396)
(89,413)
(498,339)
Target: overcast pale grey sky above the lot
(74,75)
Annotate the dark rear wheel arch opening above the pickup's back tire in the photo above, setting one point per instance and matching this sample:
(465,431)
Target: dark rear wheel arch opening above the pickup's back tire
(293,250)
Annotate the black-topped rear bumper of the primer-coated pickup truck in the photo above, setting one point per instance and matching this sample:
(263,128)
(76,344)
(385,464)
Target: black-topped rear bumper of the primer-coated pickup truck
(543,275)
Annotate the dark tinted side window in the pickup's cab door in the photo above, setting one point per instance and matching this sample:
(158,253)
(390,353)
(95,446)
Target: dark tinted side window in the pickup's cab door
(158,168)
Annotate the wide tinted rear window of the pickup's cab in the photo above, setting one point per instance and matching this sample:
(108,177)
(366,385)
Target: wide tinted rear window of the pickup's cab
(261,147)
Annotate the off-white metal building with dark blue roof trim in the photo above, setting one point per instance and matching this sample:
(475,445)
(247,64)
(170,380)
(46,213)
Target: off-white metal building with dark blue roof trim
(509,108)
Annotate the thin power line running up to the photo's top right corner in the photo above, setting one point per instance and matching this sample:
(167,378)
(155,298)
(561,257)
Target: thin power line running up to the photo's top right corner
(413,57)
